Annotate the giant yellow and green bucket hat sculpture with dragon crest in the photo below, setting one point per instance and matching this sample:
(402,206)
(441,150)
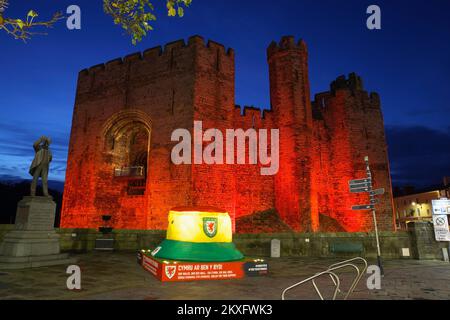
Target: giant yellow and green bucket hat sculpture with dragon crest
(198,234)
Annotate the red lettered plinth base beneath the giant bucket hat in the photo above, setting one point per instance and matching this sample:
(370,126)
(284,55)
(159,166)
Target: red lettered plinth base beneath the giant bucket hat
(170,270)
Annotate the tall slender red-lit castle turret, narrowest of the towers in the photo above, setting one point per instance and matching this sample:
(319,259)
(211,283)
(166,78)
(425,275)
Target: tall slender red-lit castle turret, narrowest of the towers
(290,101)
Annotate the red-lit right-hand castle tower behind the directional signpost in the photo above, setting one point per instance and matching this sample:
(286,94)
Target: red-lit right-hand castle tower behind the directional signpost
(354,129)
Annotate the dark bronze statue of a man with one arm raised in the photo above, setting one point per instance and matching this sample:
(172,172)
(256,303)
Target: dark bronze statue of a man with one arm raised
(40,165)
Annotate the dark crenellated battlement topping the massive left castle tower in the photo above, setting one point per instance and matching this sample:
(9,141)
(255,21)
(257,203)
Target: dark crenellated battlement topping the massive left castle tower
(153,55)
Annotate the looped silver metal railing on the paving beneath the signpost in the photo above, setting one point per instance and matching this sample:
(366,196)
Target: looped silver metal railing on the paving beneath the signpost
(334,277)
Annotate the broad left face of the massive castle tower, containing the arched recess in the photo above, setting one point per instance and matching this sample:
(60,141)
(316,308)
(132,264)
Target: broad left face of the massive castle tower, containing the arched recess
(120,144)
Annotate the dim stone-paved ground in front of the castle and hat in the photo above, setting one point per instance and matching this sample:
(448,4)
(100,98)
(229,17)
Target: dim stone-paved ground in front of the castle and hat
(118,276)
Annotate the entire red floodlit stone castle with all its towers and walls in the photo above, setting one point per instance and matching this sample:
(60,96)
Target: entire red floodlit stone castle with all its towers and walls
(119,160)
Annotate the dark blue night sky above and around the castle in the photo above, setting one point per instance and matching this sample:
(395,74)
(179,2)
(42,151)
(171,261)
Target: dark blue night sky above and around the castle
(407,63)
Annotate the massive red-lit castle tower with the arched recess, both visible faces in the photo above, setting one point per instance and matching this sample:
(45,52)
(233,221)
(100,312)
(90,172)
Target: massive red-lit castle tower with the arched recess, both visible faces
(125,112)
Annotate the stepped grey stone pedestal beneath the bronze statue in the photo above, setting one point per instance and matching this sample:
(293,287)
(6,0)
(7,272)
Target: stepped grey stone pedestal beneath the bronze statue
(34,242)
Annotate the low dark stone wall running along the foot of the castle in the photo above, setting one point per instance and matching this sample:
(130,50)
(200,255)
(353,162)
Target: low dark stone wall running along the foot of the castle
(292,244)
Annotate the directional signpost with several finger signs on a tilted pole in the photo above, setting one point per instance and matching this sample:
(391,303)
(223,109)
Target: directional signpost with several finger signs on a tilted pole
(365,185)
